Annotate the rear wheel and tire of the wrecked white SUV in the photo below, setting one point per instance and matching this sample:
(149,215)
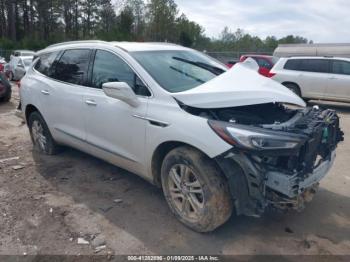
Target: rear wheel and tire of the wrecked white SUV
(40,135)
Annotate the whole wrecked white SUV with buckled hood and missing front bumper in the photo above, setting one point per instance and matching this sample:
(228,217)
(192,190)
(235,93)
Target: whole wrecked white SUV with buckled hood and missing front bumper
(215,140)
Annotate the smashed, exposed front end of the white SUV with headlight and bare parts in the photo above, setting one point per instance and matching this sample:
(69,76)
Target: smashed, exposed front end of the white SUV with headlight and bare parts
(283,152)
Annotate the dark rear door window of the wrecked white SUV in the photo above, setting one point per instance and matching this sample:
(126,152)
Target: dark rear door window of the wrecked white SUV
(73,66)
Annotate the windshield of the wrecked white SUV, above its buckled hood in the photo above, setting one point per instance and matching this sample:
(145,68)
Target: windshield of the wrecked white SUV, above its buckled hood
(179,70)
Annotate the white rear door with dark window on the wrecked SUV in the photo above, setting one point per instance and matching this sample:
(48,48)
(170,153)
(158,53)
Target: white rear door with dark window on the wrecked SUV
(63,95)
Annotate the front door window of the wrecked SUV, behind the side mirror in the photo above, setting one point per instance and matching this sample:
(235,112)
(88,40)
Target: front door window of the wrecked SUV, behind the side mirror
(111,68)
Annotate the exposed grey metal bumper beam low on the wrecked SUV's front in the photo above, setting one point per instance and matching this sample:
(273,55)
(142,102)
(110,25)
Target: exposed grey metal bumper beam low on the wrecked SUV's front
(292,186)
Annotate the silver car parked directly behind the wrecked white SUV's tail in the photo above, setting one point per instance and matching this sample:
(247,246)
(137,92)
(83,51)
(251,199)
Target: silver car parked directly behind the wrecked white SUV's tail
(18,67)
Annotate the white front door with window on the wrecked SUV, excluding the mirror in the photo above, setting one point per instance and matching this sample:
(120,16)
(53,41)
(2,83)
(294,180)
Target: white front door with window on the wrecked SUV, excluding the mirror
(113,126)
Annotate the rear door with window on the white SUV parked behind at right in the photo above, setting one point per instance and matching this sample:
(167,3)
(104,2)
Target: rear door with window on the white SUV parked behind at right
(313,77)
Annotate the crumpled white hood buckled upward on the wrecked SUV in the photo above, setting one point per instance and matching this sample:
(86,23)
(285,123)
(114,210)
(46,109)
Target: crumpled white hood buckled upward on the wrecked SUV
(239,86)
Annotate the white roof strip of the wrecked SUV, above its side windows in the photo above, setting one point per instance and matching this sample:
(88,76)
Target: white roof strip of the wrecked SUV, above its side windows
(126,46)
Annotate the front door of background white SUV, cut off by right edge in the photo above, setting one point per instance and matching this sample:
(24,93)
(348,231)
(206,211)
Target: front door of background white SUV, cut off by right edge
(339,81)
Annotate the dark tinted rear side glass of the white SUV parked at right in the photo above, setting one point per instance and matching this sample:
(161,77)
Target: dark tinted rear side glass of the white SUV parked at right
(309,65)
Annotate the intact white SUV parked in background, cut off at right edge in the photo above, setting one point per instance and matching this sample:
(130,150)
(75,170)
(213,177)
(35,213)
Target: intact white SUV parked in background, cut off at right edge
(325,78)
